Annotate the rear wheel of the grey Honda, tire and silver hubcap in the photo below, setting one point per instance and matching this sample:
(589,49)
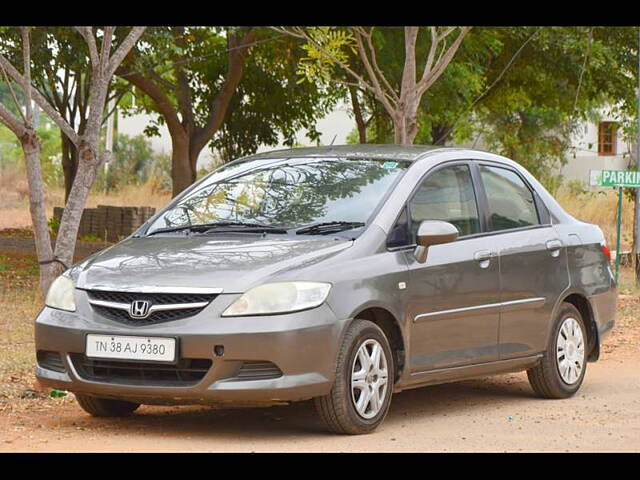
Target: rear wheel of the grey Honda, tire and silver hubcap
(561,371)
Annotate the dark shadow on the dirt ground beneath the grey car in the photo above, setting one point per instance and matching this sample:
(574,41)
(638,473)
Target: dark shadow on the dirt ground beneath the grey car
(300,419)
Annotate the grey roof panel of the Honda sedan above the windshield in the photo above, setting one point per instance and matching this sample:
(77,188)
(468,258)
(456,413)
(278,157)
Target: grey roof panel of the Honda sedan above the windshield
(382,152)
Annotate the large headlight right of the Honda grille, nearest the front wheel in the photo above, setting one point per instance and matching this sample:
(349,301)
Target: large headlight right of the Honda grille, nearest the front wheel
(282,297)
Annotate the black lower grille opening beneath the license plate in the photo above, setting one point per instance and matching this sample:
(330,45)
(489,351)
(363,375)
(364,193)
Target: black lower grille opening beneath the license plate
(187,372)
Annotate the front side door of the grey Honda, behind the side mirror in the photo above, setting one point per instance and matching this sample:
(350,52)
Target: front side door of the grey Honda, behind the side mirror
(453,298)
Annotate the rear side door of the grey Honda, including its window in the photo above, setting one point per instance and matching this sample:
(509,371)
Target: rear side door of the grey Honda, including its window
(533,260)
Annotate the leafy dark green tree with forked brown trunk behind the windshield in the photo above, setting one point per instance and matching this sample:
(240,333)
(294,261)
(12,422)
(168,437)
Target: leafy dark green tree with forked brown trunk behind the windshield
(201,84)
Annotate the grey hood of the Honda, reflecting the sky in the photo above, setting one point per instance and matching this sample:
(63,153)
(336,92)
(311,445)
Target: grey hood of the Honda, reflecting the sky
(233,263)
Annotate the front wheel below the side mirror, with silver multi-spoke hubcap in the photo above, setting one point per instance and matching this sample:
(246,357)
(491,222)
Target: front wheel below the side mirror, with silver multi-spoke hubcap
(361,393)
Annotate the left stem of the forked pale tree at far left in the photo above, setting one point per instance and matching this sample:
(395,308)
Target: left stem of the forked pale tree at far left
(44,252)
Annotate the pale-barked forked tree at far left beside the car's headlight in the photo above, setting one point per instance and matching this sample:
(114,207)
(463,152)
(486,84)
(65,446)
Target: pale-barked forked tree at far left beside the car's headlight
(103,65)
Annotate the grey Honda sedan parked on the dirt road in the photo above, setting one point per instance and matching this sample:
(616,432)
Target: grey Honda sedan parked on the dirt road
(340,274)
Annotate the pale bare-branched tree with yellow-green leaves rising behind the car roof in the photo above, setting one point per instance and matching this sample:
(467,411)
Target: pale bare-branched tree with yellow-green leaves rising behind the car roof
(330,48)
